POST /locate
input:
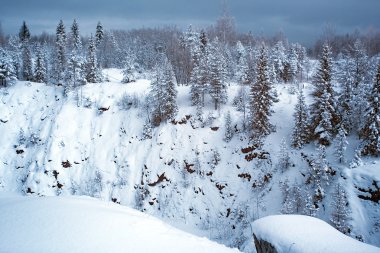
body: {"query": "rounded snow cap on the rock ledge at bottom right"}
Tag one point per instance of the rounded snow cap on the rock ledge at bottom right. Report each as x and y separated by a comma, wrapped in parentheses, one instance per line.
(304, 234)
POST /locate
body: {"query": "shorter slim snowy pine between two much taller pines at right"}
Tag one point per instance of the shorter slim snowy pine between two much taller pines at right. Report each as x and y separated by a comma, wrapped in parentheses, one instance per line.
(300, 131)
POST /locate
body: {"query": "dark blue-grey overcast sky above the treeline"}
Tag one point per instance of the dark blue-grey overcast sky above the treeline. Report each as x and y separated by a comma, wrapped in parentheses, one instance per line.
(300, 20)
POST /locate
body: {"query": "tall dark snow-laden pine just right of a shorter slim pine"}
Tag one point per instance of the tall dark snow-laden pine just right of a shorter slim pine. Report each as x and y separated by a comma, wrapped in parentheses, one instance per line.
(324, 117)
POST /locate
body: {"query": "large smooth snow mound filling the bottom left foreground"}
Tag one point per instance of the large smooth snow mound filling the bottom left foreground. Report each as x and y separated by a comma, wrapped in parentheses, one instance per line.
(81, 224)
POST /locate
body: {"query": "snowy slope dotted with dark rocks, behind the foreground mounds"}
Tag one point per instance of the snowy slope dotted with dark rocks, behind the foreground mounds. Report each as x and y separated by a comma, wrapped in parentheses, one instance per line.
(54, 145)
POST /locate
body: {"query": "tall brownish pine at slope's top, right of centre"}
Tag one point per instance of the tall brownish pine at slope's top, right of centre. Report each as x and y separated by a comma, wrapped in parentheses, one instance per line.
(261, 100)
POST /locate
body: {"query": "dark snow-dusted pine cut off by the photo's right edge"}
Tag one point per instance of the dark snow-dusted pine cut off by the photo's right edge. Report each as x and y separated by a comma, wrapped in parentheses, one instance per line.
(370, 133)
